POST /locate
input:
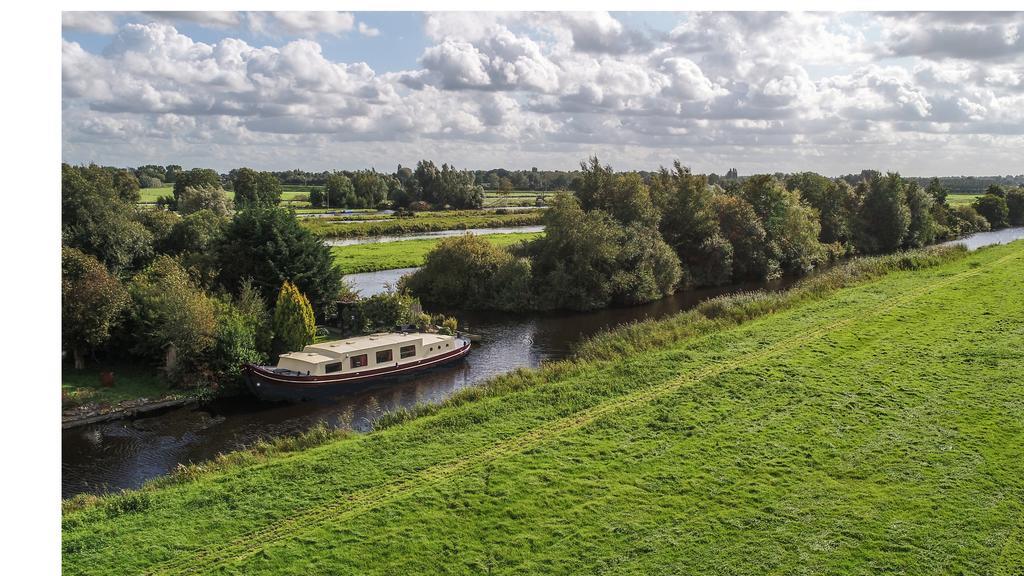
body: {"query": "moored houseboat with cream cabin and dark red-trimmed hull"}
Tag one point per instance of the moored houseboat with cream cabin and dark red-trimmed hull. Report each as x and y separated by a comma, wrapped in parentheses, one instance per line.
(327, 369)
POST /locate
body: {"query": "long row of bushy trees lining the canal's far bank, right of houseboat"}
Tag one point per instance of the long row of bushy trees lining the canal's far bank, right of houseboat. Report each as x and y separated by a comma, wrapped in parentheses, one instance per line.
(627, 238)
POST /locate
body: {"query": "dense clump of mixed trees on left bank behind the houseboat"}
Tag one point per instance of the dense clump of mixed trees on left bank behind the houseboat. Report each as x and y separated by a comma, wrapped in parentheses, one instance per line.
(199, 293)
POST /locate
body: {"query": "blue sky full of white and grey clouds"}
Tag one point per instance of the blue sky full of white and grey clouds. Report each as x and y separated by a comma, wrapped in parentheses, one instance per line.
(923, 94)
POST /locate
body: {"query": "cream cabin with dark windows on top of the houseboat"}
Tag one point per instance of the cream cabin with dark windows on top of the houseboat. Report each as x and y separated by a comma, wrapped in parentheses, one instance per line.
(366, 353)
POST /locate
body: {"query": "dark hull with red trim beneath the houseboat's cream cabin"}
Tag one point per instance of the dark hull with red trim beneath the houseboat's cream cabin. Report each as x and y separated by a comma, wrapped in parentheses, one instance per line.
(267, 385)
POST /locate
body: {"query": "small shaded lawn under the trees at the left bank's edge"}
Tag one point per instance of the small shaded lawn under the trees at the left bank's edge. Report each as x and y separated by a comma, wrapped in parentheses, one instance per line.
(131, 383)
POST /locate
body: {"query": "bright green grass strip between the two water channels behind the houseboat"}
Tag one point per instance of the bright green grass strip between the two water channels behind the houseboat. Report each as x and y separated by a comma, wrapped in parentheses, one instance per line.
(407, 254)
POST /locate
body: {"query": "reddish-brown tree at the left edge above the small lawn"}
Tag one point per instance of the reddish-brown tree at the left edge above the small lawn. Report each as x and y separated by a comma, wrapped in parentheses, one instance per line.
(93, 302)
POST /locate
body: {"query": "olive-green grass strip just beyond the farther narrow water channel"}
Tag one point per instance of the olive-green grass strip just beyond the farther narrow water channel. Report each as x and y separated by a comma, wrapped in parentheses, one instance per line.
(424, 222)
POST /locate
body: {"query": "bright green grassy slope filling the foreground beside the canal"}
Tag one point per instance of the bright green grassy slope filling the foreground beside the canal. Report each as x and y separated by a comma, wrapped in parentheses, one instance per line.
(879, 430)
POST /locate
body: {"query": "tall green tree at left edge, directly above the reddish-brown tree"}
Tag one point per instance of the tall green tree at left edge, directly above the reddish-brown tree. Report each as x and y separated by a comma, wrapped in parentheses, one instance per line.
(97, 221)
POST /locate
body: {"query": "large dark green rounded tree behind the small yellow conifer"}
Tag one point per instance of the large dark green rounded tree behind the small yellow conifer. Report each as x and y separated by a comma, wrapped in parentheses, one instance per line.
(269, 246)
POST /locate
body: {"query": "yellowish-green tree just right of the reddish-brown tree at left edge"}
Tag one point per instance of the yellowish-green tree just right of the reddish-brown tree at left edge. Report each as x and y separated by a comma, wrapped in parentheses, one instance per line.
(174, 319)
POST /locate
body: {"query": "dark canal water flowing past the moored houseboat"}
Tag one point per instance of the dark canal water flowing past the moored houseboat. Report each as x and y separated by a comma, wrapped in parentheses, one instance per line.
(126, 454)
